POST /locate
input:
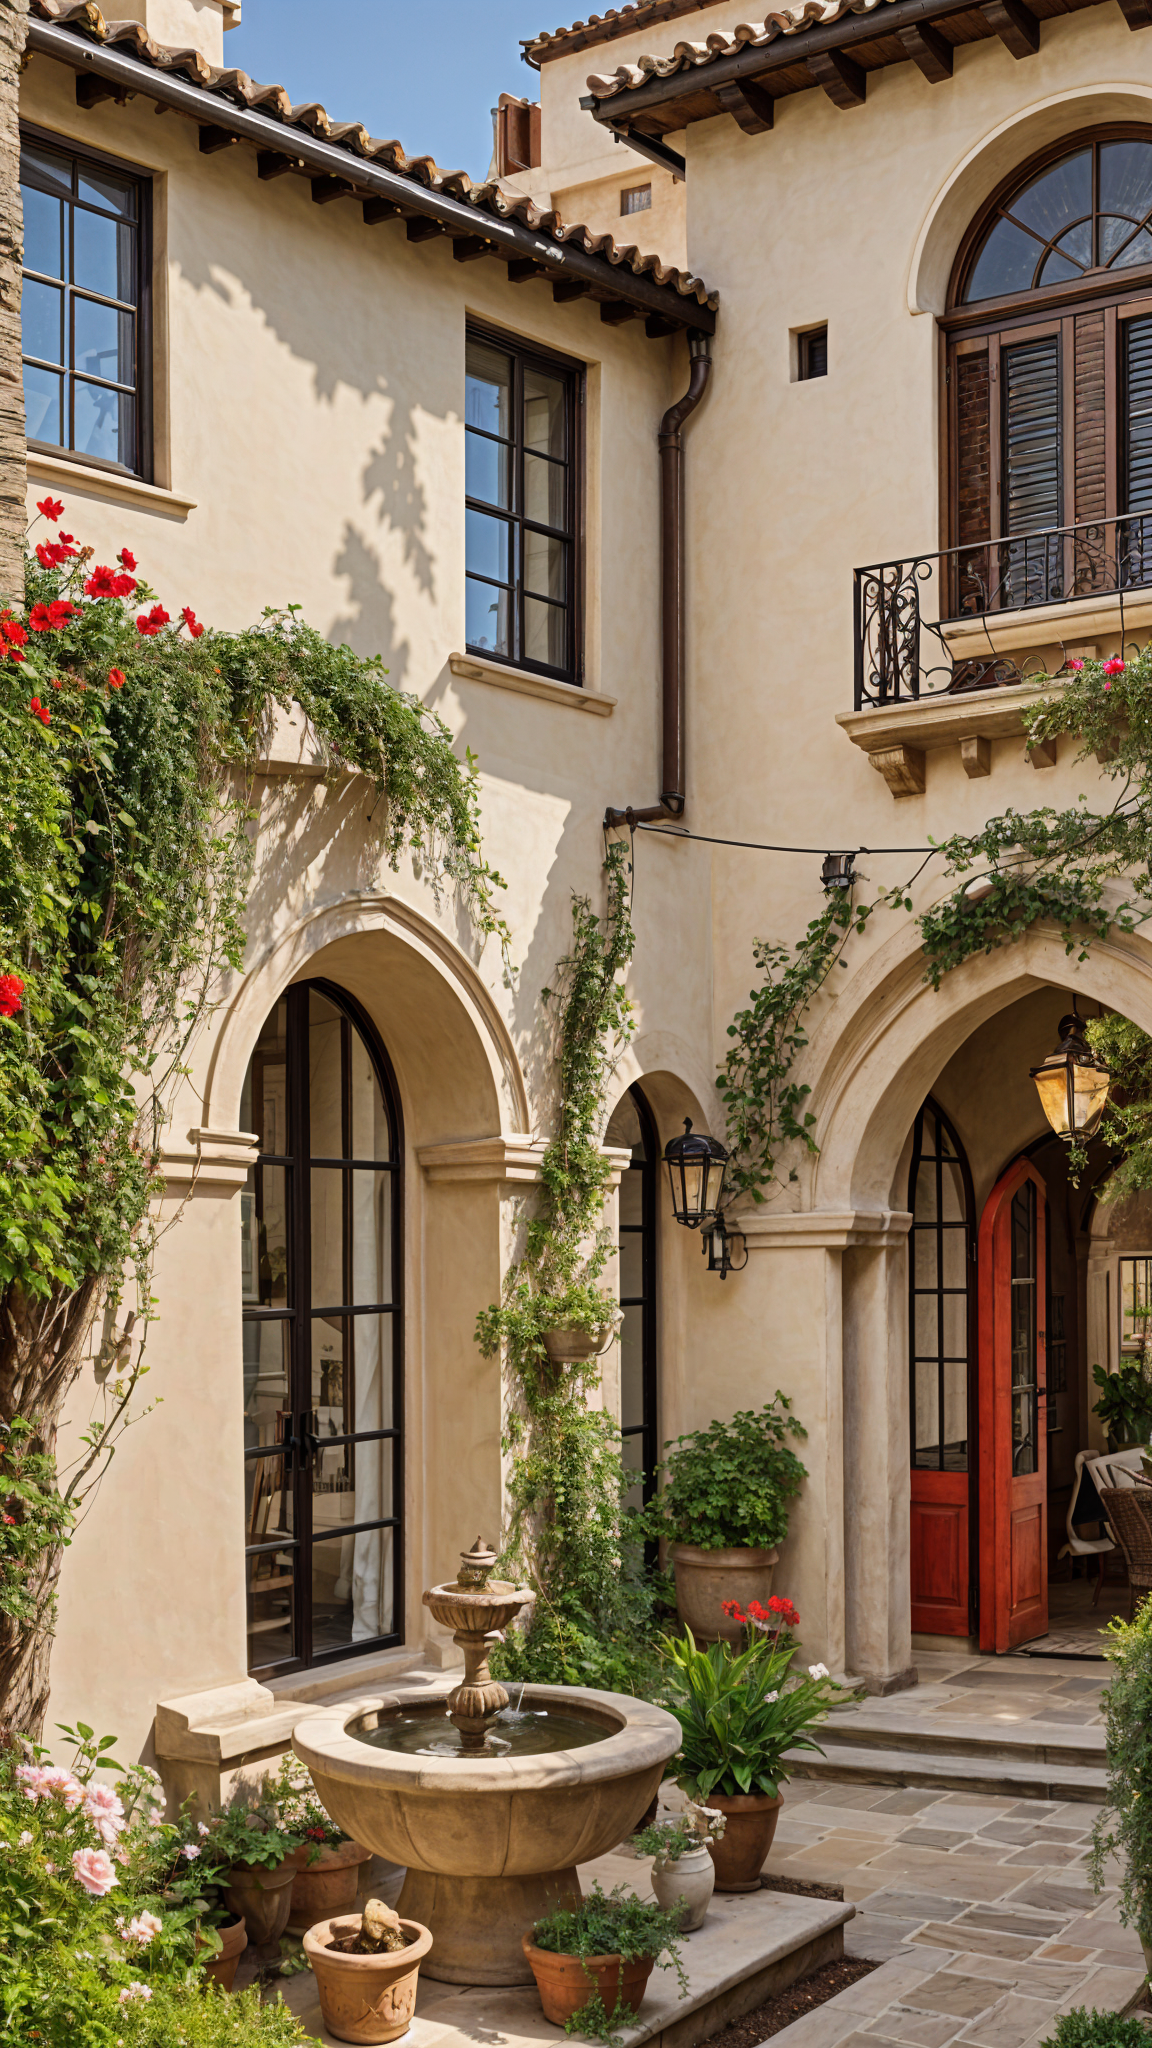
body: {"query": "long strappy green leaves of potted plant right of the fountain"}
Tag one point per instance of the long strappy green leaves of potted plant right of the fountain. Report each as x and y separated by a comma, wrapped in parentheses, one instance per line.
(739, 1713)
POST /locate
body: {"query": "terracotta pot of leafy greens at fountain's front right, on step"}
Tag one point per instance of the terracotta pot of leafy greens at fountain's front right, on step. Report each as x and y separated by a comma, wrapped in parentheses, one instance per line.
(591, 1963)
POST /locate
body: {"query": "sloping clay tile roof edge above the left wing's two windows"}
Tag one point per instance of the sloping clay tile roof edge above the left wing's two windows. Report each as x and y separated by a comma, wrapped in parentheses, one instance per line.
(87, 19)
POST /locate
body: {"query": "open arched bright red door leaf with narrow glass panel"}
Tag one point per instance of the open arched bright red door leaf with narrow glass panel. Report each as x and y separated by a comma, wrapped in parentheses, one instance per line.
(1014, 1412)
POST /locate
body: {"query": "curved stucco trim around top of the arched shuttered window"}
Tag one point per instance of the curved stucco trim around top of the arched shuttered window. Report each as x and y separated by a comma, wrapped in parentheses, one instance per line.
(991, 161)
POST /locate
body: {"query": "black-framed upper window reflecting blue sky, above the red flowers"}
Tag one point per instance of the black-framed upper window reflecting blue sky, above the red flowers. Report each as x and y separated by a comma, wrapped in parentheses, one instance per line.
(85, 304)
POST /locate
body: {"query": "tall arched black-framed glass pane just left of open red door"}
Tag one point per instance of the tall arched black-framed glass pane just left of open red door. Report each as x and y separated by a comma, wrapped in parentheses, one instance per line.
(940, 1295)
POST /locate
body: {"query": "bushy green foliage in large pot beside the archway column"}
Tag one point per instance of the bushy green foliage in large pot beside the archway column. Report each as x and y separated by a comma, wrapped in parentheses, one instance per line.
(727, 1486)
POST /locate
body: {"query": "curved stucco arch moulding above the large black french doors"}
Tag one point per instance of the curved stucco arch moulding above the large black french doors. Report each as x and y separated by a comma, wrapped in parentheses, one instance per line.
(294, 955)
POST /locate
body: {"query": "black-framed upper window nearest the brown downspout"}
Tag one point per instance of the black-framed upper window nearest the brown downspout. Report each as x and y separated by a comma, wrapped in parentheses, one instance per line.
(522, 507)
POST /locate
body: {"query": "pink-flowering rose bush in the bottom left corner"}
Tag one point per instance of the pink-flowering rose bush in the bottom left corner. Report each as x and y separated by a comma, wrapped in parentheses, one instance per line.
(101, 1912)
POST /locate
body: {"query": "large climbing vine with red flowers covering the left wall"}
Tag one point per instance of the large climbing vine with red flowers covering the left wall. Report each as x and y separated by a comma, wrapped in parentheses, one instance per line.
(130, 753)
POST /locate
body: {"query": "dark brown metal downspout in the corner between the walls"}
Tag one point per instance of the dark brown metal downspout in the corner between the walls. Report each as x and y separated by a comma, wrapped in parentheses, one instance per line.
(673, 595)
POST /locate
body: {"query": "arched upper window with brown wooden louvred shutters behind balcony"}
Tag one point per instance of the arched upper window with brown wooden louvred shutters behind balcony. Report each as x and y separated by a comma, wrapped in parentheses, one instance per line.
(1048, 380)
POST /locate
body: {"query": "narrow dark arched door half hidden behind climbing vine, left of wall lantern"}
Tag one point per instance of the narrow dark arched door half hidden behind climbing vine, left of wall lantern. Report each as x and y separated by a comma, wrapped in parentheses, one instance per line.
(634, 1127)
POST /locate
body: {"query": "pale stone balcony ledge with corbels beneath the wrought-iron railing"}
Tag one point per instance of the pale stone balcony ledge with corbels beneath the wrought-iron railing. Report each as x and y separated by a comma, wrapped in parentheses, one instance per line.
(899, 738)
